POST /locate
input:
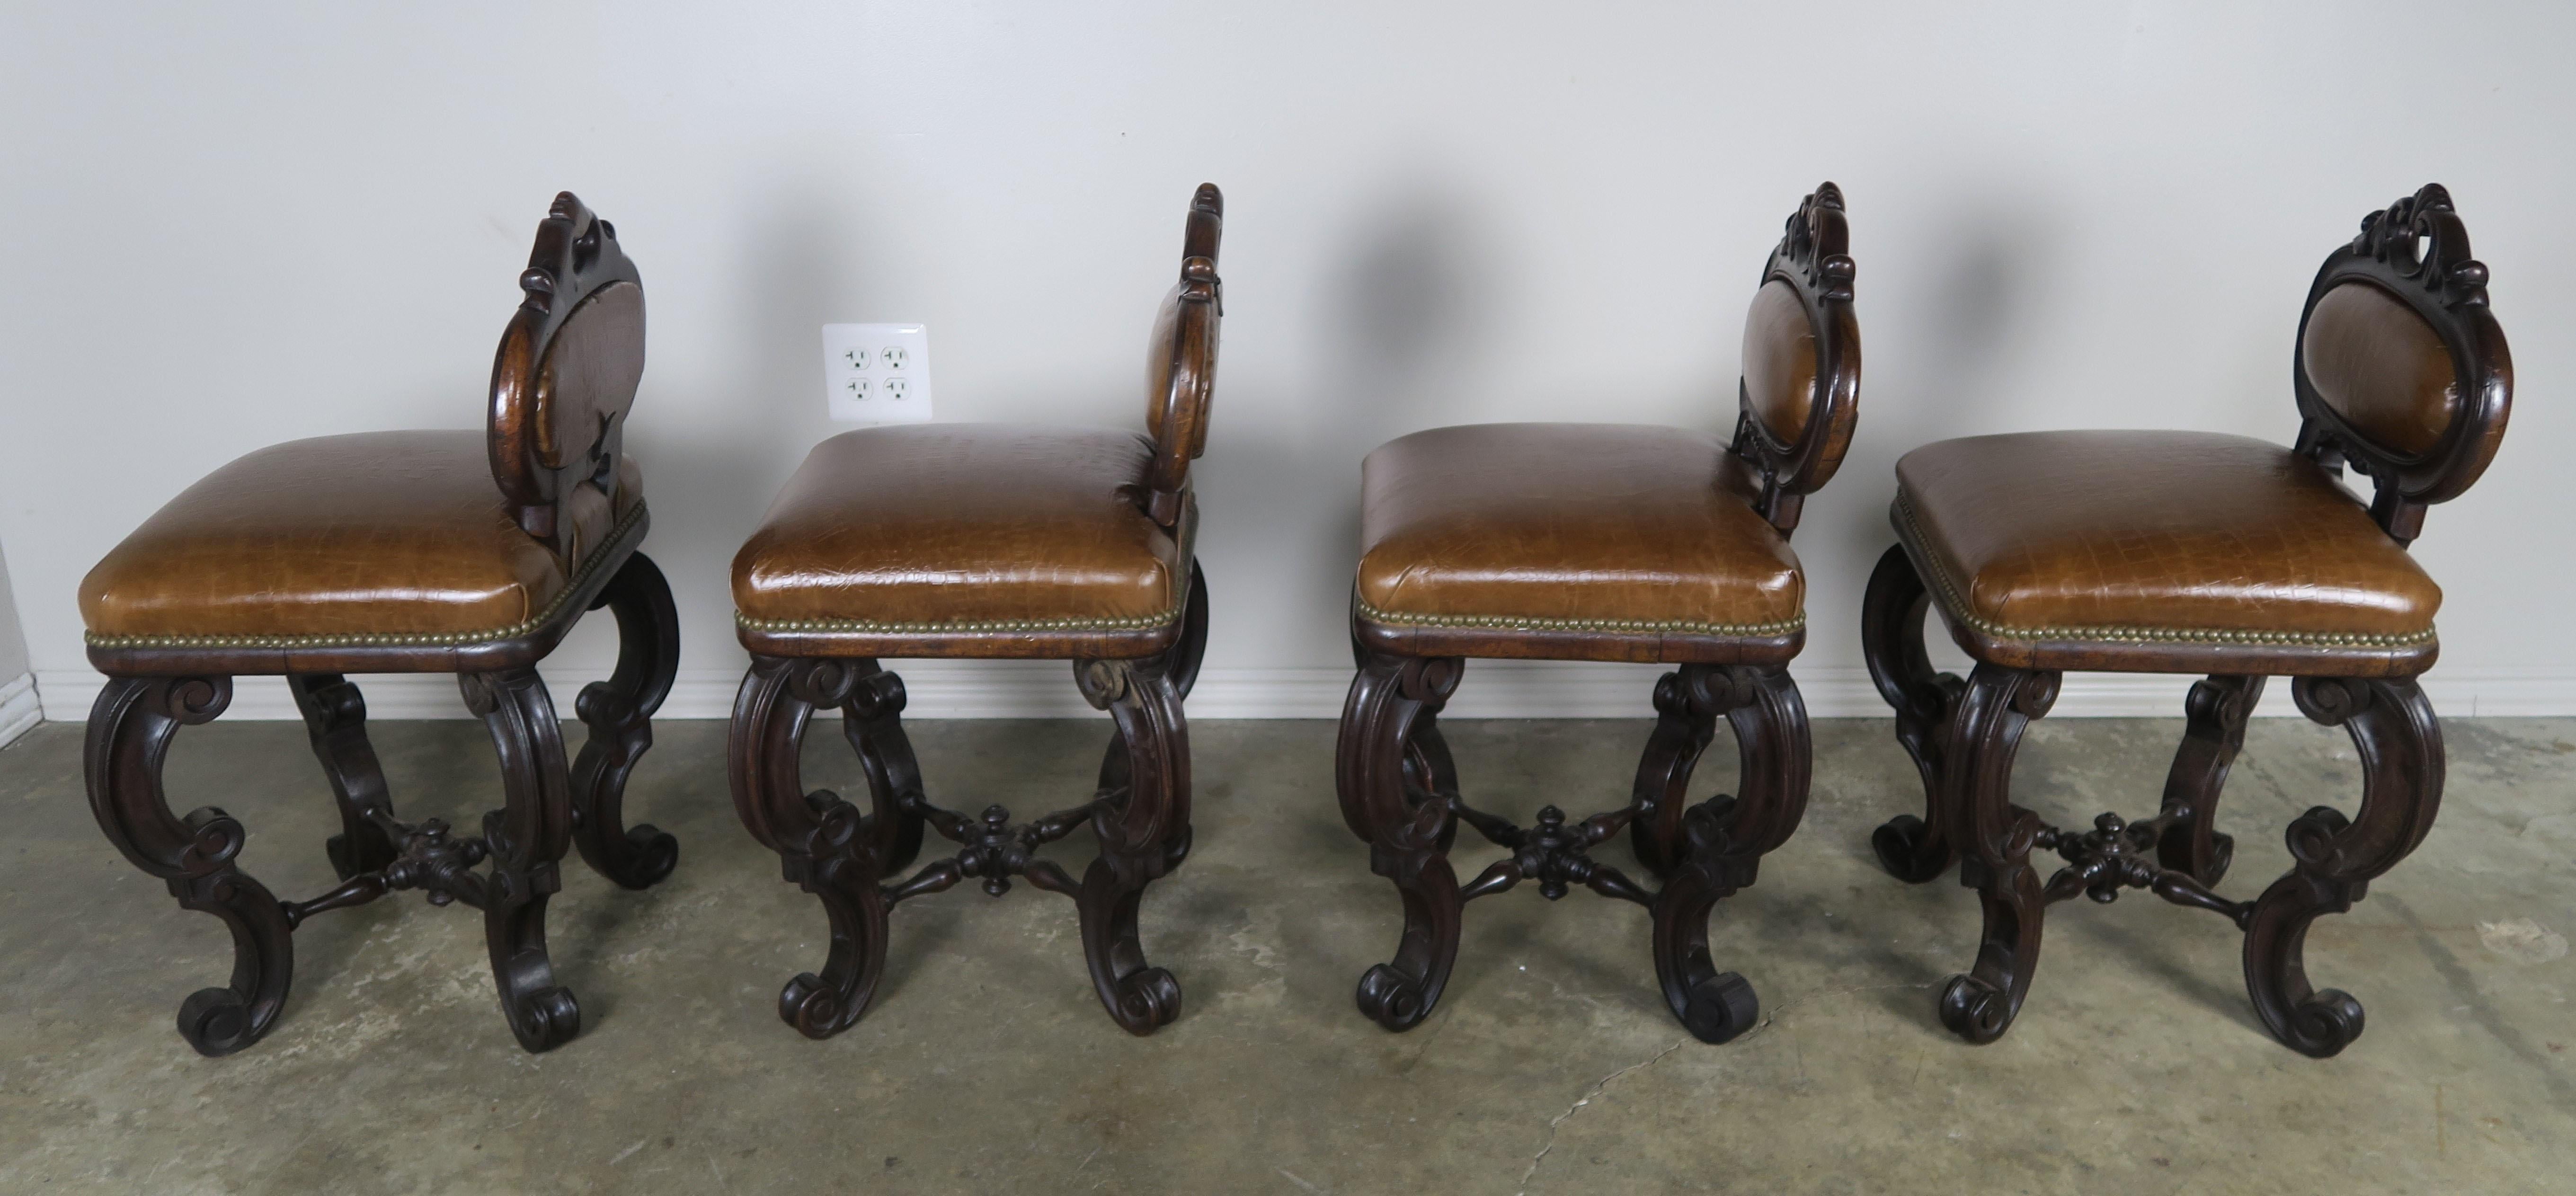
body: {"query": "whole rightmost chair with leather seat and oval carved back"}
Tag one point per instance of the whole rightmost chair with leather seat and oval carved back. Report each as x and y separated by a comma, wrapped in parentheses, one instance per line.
(2186, 553)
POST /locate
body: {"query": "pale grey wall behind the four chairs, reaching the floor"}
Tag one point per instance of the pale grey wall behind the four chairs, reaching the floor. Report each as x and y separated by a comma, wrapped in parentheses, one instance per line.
(290, 220)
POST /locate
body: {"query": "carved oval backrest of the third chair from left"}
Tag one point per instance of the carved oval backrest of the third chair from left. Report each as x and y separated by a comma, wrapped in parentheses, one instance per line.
(1802, 360)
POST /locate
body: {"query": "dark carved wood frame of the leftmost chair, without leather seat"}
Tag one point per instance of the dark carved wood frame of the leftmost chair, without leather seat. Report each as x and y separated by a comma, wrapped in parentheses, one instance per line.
(547, 808)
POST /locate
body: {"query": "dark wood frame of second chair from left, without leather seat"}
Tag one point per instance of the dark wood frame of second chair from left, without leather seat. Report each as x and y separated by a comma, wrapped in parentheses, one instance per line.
(1140, 808)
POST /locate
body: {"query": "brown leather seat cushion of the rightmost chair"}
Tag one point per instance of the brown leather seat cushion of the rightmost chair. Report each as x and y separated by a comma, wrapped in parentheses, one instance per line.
(2155, 537)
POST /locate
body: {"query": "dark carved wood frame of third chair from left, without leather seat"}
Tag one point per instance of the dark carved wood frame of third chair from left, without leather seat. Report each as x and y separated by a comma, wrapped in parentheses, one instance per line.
(1400, 790)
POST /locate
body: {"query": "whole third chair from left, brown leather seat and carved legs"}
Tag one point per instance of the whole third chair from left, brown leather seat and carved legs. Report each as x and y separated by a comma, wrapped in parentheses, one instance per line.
(1604, 543)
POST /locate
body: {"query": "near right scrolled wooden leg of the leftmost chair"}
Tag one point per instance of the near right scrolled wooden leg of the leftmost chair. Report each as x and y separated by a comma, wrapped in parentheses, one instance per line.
(527, 842)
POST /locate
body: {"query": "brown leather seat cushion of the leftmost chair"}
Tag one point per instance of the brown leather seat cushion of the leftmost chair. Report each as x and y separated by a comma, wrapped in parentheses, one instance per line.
(354, 540)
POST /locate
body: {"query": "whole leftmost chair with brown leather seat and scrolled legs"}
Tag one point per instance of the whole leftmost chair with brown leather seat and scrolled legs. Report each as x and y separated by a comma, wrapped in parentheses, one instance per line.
(408, 553)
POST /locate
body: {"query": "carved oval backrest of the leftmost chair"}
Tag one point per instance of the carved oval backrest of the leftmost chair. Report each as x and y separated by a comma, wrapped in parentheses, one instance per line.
(565, 375)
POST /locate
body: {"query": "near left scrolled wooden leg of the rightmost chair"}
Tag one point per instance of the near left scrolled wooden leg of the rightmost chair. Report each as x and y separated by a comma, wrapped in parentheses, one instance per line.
(1995, 836)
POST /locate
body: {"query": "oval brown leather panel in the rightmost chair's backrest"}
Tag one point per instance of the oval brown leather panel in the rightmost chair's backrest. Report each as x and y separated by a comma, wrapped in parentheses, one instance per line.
(2382, 367)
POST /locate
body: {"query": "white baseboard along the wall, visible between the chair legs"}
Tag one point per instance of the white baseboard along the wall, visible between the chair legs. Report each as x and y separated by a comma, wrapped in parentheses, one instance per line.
(1493, 690)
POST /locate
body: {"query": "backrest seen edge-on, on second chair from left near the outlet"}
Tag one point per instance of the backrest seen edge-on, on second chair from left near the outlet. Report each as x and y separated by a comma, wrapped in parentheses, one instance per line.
(1181, 360)
